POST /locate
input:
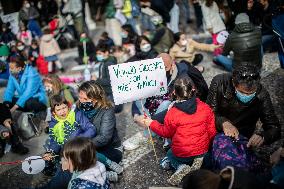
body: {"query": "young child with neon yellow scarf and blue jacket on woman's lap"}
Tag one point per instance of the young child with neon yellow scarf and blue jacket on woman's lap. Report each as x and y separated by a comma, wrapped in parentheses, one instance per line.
(66, 124)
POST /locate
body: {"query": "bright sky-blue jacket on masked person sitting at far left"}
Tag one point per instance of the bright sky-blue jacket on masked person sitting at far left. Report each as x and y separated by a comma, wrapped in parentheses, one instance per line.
(29, 86)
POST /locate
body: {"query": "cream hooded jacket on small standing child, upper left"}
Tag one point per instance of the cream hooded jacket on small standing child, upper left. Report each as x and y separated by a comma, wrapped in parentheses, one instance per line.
(48, 46)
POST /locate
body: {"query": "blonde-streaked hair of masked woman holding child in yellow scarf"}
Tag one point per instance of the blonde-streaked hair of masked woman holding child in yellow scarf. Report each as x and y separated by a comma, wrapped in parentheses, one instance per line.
(95, 92)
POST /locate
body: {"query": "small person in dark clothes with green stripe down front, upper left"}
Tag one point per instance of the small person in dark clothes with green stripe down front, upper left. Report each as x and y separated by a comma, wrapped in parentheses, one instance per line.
(90, 49)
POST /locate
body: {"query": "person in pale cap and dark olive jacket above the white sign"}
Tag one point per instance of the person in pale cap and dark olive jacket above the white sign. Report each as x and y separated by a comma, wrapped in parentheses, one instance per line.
(163, 38)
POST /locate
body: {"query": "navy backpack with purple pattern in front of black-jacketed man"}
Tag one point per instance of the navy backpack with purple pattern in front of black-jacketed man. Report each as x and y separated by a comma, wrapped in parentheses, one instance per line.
(231, 152)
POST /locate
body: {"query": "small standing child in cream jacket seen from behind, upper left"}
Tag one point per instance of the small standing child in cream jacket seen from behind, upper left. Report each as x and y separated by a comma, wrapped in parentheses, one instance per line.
(49, 48)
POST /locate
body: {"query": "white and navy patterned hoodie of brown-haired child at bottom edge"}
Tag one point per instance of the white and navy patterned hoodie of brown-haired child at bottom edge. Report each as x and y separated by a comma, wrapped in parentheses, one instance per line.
(92, 178)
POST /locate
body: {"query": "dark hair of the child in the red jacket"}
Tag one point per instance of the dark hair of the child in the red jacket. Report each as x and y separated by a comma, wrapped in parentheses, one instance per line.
(184, 88)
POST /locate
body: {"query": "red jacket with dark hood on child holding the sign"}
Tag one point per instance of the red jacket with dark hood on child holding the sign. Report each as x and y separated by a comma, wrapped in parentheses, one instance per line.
(190, 125)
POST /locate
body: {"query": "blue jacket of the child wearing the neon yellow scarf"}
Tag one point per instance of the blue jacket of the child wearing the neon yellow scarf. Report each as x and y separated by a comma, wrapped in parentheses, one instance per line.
(83, 128)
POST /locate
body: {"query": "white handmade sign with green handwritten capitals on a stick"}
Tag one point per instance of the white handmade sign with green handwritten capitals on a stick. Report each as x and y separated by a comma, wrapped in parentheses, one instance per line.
(138, 80)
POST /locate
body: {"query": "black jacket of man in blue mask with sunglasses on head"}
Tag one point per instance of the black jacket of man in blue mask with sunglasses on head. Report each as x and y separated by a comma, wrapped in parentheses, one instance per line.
(227, 107)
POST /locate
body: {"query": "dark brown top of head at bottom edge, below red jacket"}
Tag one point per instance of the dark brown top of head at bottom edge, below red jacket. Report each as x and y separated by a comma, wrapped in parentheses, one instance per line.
(201, 179)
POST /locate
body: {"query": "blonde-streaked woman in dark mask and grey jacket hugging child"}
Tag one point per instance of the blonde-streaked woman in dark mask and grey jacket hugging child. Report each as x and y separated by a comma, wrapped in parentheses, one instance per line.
(100, 111)
